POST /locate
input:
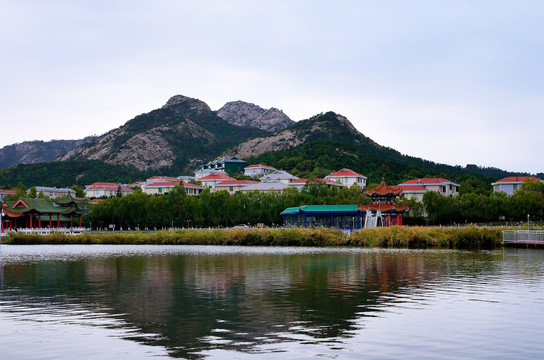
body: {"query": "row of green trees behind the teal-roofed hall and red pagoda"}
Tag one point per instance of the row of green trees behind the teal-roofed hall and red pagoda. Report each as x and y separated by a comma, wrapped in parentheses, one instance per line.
(211, 209)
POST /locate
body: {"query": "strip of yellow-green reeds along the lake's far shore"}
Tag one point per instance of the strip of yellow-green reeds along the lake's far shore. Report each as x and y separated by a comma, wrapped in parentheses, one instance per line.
(396, 236)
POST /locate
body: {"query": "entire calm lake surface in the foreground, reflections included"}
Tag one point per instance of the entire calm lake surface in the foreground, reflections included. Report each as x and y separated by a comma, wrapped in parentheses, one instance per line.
(140, 302)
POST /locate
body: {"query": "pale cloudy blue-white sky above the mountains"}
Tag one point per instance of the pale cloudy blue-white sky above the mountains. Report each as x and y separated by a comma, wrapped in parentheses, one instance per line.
(456, 82)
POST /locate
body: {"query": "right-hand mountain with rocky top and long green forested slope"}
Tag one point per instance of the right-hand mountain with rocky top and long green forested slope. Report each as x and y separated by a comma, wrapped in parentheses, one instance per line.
(329, 142)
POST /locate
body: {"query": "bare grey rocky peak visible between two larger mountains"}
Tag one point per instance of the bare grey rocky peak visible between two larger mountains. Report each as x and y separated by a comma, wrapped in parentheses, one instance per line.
(241, 113)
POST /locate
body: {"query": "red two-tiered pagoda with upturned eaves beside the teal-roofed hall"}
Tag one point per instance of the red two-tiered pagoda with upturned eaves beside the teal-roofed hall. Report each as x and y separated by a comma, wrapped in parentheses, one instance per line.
(383, 209)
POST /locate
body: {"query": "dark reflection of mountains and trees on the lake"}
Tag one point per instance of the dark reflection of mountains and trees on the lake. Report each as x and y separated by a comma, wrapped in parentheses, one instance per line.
(197, 302)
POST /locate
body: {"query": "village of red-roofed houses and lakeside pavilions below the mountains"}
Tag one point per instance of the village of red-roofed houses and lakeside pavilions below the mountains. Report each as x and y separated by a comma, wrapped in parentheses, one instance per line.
(62, 208)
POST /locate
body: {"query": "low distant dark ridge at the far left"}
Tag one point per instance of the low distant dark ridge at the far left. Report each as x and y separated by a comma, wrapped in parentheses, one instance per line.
(32, 152)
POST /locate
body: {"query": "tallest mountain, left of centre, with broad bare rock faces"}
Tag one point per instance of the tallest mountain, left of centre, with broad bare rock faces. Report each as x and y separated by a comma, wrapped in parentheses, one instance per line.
(176, 137)
